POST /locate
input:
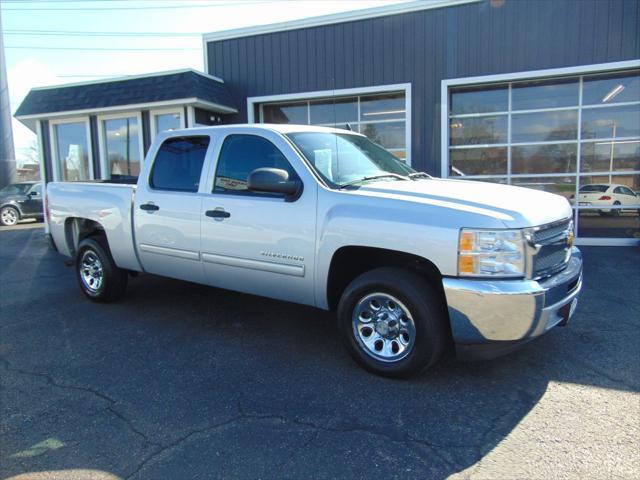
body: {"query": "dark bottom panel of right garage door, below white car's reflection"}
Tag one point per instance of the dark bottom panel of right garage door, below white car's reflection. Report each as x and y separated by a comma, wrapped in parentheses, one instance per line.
(600, 223)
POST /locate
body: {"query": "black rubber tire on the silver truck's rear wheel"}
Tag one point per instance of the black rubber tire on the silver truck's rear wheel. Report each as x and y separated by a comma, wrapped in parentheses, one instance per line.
(113, 279)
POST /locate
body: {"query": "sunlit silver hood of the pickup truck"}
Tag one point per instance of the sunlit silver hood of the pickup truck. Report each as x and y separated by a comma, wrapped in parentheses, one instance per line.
(515, 207)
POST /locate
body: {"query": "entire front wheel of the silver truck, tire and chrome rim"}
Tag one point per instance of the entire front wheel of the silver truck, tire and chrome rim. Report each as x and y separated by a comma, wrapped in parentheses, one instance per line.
(393, 322)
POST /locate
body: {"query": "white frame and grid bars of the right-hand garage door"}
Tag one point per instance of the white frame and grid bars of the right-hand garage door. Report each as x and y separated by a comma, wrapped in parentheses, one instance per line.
(556, 73)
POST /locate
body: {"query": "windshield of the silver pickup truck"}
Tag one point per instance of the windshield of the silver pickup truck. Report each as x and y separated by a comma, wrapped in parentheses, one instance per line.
(342, 158)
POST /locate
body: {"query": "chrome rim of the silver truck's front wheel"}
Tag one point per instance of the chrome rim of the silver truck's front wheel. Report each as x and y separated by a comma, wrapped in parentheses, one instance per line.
(383, 327)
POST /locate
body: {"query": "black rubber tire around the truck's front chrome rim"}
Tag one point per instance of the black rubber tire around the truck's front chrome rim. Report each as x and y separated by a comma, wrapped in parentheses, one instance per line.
(425, 306)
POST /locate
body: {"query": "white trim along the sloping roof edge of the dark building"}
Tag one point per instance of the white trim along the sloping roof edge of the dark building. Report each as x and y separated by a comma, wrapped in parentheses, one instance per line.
(341, 17)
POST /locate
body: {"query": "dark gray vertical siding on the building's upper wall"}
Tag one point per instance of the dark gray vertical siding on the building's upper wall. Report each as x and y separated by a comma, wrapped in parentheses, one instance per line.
(426, 47)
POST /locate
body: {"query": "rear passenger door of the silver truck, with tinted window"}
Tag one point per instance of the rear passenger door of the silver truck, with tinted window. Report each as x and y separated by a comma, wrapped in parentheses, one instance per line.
(167, 209)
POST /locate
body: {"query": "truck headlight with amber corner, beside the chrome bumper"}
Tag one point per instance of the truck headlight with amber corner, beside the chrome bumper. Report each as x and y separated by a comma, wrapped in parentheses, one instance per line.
(491, 253)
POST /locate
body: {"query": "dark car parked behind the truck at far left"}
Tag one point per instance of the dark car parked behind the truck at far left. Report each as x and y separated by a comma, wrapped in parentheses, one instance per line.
(19, 201)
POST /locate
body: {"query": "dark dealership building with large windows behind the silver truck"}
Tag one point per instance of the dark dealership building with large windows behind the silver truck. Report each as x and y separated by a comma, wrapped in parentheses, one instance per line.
(539, 93)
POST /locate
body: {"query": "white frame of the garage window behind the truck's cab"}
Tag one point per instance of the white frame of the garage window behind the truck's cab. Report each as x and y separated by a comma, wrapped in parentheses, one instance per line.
(345, 92)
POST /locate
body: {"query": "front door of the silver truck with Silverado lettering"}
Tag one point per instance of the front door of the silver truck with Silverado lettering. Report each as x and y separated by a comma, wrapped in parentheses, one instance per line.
(255, 242)
